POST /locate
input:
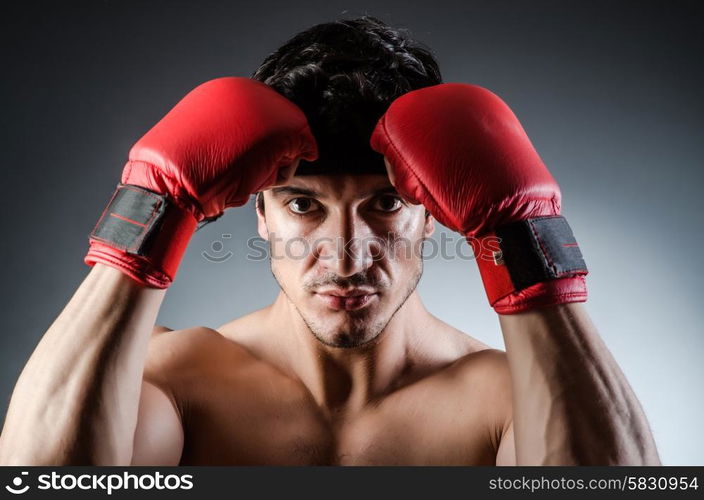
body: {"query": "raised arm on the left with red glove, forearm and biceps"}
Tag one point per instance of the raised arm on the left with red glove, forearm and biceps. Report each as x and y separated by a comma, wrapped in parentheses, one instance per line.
(77, 400)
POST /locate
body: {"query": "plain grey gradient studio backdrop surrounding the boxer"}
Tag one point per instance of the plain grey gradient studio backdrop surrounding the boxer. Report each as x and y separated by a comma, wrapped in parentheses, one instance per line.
(609, 94)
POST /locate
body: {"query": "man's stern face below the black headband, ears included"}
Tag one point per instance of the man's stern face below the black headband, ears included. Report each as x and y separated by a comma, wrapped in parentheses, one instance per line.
(346, 251)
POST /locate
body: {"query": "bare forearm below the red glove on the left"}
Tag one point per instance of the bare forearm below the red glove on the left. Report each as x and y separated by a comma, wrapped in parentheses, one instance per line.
(77, 397)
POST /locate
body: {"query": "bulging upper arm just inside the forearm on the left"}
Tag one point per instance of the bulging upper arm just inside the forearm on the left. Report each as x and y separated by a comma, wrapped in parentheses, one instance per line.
(158, 438)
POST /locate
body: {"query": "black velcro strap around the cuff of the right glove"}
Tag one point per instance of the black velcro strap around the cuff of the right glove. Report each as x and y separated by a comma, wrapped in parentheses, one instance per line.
(540, 249)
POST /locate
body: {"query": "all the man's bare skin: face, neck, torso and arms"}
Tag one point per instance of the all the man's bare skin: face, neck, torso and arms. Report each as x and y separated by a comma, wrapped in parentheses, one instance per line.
(301, 382)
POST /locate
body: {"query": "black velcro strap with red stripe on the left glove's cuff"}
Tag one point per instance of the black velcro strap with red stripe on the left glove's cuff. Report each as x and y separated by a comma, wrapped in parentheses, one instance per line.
(131, 217)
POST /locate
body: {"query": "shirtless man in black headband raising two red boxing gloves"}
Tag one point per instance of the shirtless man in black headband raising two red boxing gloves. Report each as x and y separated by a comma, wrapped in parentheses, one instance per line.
(353, 140)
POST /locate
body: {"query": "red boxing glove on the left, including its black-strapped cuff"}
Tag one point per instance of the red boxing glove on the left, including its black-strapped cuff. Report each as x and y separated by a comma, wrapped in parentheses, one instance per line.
(225, 140)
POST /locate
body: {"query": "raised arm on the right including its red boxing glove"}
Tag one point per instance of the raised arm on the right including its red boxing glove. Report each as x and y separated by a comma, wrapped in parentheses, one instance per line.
(477, 172)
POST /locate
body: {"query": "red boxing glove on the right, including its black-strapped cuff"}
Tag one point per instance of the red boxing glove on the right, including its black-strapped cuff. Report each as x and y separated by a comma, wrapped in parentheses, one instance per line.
(460, 151)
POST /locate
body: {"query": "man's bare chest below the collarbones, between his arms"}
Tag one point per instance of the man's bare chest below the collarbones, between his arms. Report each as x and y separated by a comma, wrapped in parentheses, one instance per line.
(266, 424)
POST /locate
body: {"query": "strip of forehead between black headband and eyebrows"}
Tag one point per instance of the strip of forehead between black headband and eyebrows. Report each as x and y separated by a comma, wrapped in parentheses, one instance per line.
(337, 186)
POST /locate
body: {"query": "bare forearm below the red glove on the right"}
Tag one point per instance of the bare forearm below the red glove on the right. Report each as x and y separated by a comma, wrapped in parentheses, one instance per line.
(571, 402)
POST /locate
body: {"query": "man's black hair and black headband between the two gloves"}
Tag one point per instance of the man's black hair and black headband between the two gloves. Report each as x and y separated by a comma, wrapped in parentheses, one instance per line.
(343, 75)
